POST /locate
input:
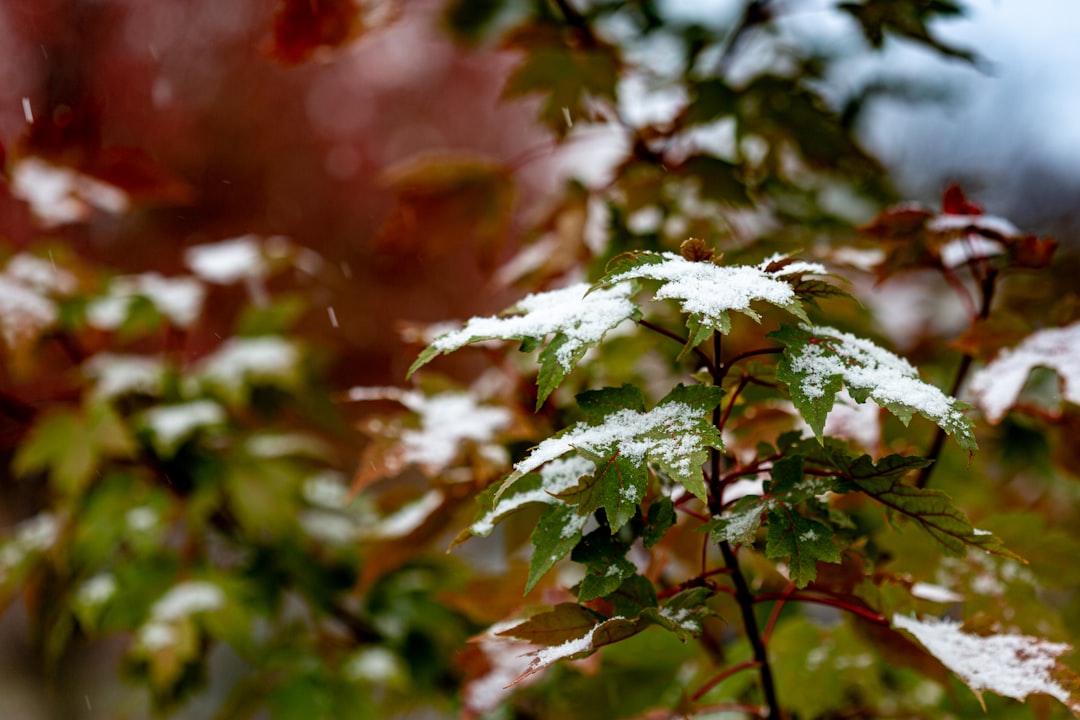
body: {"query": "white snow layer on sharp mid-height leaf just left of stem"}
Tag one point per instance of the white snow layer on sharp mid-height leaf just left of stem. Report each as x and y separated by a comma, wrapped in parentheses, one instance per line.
(628, 431)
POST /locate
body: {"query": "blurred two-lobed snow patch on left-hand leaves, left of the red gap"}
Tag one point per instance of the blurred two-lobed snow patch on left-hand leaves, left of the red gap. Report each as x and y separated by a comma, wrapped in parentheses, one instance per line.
(179, 300)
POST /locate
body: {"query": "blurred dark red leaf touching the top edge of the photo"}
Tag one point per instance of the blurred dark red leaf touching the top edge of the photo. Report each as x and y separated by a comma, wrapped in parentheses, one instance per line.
(301, 28)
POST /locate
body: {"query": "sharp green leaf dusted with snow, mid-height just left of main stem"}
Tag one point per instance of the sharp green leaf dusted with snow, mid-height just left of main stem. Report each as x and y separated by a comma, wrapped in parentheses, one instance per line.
(676, 436)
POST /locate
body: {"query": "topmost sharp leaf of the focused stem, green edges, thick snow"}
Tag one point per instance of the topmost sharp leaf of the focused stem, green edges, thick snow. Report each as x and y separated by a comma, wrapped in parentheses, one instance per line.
(708, 293)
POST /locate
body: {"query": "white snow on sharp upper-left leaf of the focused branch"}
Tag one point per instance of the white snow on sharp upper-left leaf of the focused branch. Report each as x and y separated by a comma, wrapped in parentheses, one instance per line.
(584, 319)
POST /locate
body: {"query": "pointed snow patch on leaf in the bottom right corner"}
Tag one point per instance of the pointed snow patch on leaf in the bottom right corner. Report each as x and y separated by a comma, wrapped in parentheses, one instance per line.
(1006, 664)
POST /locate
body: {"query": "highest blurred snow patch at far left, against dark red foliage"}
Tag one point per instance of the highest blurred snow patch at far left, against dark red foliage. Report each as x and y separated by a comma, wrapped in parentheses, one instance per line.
(61, 196)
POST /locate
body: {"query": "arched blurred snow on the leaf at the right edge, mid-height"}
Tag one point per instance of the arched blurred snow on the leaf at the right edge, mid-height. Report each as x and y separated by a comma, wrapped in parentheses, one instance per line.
(996, 388)
